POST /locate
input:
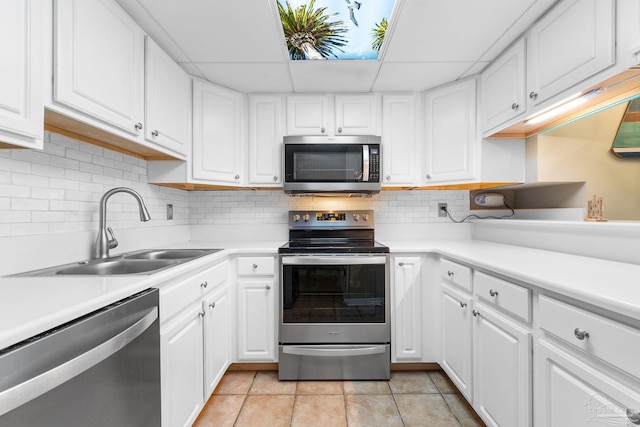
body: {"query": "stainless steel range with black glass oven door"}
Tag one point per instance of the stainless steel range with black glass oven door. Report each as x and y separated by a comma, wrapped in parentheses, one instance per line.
(334, 298)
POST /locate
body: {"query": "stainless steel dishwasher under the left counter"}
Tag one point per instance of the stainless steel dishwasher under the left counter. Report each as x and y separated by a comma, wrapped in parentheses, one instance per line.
(102, 369)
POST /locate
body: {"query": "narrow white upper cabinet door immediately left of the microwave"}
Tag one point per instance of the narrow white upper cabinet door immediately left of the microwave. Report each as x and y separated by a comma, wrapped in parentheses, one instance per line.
(265, 139)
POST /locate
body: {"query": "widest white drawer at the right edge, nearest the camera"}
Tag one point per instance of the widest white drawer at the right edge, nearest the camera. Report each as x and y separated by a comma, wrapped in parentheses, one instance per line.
(604, 338)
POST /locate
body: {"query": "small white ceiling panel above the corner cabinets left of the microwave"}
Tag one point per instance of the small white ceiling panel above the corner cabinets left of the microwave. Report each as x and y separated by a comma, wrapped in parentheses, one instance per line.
(248, 78)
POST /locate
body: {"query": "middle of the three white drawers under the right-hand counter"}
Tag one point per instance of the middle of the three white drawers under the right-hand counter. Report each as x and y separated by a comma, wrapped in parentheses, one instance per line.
(511, 298)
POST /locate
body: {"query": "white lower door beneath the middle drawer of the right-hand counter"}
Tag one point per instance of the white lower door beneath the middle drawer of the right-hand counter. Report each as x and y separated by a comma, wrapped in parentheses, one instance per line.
(502, 370)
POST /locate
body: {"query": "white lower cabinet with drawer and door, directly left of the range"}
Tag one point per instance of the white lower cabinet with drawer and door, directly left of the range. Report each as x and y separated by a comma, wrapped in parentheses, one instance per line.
(256, 322)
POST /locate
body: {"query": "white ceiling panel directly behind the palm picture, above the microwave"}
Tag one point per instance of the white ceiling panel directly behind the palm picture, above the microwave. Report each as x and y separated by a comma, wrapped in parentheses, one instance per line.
(333, 76)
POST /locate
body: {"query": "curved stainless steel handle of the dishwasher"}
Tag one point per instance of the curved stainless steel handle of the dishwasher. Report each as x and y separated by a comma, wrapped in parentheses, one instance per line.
(22, 393)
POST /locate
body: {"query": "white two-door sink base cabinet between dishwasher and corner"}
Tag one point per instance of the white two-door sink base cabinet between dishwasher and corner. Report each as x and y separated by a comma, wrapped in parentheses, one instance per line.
(194, 342)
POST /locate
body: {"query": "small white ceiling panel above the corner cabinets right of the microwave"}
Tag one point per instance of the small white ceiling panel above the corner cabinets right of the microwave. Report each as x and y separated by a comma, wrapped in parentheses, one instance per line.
(417, 76)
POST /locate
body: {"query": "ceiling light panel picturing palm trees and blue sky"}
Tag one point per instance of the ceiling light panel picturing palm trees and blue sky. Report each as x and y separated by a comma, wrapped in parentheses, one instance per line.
(334, 29)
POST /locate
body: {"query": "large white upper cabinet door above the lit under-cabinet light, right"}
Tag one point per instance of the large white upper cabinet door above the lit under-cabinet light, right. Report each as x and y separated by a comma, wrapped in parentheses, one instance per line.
(571, 43)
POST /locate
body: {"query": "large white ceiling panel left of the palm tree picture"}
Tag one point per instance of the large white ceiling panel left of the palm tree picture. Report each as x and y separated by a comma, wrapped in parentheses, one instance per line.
(221, 30)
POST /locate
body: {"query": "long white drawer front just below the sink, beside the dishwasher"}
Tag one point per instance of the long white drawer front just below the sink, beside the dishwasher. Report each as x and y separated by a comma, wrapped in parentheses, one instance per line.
(174, 298)
